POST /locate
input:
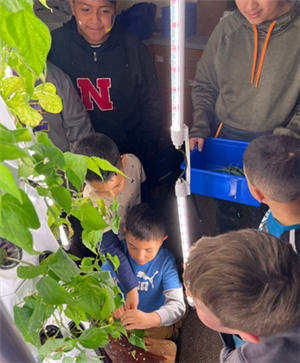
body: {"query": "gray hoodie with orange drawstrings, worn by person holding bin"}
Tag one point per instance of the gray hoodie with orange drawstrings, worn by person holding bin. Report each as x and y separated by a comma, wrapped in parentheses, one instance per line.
(223, 90)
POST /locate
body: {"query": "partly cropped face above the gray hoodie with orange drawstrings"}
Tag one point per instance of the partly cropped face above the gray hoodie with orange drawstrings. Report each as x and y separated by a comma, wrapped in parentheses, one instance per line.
(259, 11)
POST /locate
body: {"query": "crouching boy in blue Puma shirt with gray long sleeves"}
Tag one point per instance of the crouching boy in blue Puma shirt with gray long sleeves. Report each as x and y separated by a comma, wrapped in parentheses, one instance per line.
(161, 302)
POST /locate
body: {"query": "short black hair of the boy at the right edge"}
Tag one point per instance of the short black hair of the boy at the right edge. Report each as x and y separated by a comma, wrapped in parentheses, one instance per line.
(272, 165)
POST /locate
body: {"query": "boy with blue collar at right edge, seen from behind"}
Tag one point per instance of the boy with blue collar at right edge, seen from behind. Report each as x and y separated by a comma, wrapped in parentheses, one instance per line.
(272, 169)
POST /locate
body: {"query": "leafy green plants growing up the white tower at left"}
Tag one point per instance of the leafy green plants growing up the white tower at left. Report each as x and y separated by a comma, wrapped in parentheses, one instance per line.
(83, 293)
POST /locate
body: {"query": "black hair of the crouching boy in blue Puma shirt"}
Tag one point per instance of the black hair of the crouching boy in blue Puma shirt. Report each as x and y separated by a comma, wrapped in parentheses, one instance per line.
(146, 222)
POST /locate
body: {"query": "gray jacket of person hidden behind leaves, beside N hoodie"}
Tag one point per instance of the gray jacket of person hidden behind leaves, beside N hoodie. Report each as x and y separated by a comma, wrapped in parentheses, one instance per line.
(73, 122)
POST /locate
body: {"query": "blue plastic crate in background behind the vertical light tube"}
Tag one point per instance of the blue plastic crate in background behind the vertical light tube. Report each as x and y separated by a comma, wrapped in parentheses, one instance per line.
(190, 19)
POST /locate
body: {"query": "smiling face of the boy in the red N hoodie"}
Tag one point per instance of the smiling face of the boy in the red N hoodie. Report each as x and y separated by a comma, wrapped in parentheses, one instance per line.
(94, 18)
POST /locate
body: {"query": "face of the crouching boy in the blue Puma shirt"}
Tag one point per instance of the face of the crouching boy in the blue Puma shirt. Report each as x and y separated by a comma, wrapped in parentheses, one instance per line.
(142, 251)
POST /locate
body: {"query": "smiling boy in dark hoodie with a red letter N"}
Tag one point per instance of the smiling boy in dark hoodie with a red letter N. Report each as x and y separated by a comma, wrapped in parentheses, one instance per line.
(113, 73)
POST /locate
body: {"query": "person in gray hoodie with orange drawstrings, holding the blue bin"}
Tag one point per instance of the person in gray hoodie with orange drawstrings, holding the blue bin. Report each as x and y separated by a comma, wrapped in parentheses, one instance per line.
(247, 82)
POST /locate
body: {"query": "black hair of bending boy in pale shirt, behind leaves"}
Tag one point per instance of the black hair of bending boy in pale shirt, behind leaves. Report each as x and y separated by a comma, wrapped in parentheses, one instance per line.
(102, 147)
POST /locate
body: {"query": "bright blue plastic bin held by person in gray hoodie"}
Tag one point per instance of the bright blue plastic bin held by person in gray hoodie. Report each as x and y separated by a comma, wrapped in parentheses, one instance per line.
(218, 154)
